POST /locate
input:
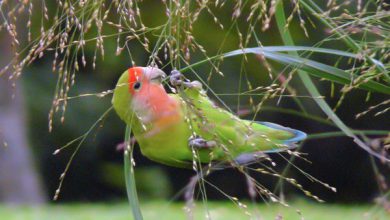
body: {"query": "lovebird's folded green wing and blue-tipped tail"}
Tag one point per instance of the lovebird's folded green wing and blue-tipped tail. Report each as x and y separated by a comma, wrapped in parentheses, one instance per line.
(233, 135)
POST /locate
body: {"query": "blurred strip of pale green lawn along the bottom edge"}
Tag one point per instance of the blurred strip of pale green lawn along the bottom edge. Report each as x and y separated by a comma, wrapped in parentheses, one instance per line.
(218, 210)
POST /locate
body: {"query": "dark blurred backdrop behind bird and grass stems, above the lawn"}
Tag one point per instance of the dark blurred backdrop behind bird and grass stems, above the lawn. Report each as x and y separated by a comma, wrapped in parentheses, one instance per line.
(29, 172)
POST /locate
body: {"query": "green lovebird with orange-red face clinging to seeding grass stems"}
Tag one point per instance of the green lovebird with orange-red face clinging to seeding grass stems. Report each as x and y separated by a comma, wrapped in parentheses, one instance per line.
(175, 129)
